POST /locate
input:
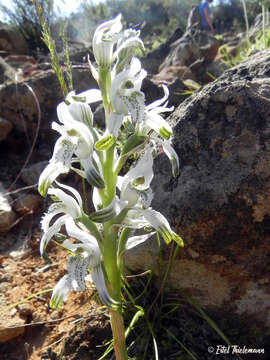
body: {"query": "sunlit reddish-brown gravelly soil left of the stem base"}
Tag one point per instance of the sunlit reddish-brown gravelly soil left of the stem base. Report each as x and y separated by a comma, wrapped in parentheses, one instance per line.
(80, 327)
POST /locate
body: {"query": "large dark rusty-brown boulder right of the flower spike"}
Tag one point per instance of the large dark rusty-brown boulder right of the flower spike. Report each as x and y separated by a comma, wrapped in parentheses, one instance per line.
(219, 203)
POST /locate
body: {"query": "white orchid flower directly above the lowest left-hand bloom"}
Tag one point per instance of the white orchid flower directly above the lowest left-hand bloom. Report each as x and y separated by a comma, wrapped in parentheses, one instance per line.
(68, 205)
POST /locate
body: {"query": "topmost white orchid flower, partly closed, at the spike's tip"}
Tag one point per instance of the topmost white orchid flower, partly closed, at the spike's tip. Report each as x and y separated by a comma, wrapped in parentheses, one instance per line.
(105, 37)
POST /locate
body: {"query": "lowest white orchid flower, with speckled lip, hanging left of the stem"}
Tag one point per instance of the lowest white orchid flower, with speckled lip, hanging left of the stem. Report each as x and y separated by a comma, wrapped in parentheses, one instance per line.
(87, 256)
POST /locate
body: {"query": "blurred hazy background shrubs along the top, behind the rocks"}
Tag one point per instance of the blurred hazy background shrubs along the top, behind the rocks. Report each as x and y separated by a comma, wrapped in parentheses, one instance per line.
(157, 19)
